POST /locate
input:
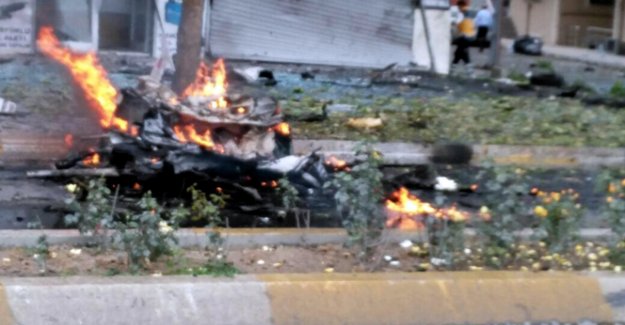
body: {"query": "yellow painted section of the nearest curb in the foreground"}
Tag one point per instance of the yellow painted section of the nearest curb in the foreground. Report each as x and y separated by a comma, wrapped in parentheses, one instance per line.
(434, 298)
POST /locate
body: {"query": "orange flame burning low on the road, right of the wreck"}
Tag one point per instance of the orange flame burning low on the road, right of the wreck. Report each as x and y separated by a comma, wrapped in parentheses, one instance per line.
(405, 210)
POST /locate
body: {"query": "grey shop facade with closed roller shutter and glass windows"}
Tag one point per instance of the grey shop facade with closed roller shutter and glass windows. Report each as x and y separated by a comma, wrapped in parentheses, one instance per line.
(368, 33)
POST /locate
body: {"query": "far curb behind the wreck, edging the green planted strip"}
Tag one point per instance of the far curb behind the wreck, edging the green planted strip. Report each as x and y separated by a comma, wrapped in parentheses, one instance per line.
(18, 151)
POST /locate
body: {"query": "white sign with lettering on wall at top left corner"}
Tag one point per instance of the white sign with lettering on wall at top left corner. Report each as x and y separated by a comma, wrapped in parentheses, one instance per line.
(16, 26)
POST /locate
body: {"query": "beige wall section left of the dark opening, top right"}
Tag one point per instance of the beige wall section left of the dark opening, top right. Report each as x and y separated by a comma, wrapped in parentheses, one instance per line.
(544, 19)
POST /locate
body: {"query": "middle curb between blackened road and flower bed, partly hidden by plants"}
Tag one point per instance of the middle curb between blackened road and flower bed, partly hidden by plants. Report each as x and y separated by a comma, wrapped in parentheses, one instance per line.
(243, 237)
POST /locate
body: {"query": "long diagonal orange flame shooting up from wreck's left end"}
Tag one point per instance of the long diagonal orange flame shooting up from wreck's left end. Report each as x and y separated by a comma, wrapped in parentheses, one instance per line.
(90, 76)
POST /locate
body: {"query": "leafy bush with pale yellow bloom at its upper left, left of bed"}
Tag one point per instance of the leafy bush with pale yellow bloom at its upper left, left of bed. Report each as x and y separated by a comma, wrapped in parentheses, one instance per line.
(95, 214)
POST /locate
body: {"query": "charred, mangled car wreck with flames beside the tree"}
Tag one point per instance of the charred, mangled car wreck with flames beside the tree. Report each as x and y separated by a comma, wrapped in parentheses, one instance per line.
(219, 139)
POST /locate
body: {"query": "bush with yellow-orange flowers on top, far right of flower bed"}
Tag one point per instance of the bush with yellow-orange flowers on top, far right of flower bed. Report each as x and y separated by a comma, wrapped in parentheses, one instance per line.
(559, 214)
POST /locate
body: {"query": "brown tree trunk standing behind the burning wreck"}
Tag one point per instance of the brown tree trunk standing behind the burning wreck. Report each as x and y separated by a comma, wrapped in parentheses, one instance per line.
(189, 44)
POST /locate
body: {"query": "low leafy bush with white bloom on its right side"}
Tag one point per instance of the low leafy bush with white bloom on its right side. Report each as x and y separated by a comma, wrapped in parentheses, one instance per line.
(145, 236)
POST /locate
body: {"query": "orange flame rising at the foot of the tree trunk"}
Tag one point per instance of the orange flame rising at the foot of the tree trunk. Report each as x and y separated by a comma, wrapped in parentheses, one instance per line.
(210, 84)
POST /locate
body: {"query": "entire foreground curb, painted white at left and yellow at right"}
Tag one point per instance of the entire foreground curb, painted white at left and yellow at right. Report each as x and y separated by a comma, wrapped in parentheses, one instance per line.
(329, 299)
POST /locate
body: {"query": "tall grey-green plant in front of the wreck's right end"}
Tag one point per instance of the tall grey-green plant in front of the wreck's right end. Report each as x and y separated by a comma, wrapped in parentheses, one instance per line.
(359, 197)
